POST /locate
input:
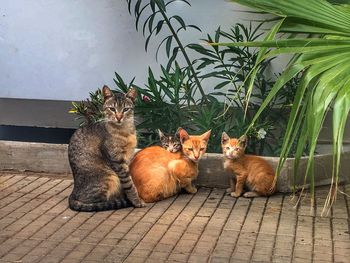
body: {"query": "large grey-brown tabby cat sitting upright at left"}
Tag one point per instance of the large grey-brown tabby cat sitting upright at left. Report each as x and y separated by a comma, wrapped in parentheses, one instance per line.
(99, 155)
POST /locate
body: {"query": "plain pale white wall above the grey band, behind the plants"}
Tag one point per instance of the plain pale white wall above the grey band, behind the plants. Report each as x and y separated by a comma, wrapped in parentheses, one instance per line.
(62, 49)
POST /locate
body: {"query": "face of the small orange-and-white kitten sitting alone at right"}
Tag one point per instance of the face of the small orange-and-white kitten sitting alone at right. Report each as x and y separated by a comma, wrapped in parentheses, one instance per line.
(233, 148)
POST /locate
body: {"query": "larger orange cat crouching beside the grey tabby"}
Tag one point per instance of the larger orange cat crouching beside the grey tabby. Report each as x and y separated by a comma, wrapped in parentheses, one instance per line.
(158, 173)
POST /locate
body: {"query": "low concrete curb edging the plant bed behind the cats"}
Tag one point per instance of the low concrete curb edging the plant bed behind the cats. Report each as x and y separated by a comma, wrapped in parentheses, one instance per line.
(53, 159)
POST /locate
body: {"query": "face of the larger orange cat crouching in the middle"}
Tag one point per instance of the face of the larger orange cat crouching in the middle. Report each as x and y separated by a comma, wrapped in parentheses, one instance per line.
(194, 146)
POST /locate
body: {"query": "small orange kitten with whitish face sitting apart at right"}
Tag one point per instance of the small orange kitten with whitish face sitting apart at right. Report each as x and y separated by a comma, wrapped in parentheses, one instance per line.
(247, 171)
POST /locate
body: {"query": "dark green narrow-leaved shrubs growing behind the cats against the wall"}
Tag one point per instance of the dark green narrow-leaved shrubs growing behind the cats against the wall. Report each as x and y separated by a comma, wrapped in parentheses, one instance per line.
(171, 100)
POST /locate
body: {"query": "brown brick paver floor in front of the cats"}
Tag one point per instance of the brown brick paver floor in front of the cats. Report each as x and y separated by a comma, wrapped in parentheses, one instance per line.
(37, 226)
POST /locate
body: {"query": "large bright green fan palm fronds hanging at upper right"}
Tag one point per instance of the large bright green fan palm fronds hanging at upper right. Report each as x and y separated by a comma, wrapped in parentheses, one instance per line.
(318, 34)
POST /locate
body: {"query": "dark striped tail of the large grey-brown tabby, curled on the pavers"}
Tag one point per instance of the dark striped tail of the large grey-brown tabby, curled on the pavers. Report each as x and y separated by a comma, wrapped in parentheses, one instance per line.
(100, 206)
